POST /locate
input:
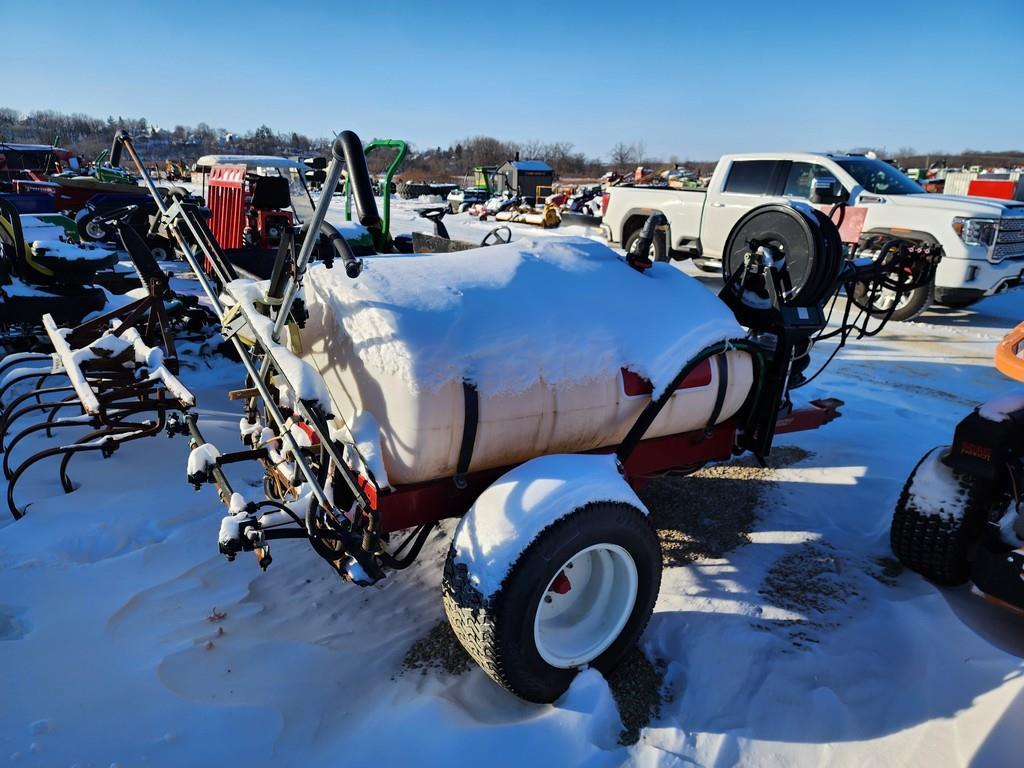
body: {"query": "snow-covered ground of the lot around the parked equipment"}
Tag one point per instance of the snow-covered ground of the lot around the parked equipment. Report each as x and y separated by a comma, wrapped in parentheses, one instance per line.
(126, 639)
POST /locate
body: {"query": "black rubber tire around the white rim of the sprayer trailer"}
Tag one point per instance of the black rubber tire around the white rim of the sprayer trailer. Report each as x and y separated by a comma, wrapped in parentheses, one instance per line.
(498, 632)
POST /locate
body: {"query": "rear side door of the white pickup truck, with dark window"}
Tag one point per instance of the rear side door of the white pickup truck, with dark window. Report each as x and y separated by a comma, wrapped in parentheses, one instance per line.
(748, 185)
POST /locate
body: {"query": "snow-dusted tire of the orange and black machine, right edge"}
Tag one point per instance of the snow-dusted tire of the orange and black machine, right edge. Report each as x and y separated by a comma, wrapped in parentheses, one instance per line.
(934, 538)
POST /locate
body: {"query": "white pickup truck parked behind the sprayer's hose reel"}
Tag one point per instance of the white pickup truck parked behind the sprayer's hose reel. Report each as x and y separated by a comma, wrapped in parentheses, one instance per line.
(983, 240)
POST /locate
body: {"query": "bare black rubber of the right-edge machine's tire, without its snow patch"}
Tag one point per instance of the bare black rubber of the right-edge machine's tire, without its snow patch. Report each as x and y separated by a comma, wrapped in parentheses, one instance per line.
(934, 543)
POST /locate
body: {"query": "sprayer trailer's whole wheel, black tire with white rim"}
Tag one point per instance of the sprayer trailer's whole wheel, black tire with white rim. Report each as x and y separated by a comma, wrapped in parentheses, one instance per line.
(580, 593)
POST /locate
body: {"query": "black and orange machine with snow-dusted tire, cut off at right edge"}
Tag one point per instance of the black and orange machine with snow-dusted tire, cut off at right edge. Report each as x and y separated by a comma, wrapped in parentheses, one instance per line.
(960, 517)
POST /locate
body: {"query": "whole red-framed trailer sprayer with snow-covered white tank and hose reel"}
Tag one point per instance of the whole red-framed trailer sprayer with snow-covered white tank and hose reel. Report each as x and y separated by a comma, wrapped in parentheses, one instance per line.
(527, 389)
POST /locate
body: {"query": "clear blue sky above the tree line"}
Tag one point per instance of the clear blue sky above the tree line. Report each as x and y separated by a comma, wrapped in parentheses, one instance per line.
(692, 79)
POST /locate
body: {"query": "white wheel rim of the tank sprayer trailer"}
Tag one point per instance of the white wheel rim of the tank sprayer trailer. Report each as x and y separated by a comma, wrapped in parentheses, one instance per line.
(586, 606)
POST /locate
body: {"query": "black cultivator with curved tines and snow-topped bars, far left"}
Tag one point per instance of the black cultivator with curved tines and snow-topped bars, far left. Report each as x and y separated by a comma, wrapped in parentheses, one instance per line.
(123, 389)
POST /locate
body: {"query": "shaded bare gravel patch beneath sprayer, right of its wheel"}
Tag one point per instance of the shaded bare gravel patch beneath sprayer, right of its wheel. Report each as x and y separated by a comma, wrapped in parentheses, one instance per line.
(706, 516)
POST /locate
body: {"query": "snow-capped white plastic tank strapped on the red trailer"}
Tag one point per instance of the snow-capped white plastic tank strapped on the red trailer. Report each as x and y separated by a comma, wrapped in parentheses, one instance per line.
(542, 328)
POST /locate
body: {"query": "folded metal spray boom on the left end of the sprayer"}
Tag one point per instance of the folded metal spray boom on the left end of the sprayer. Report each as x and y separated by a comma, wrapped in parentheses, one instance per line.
(352, 531)
